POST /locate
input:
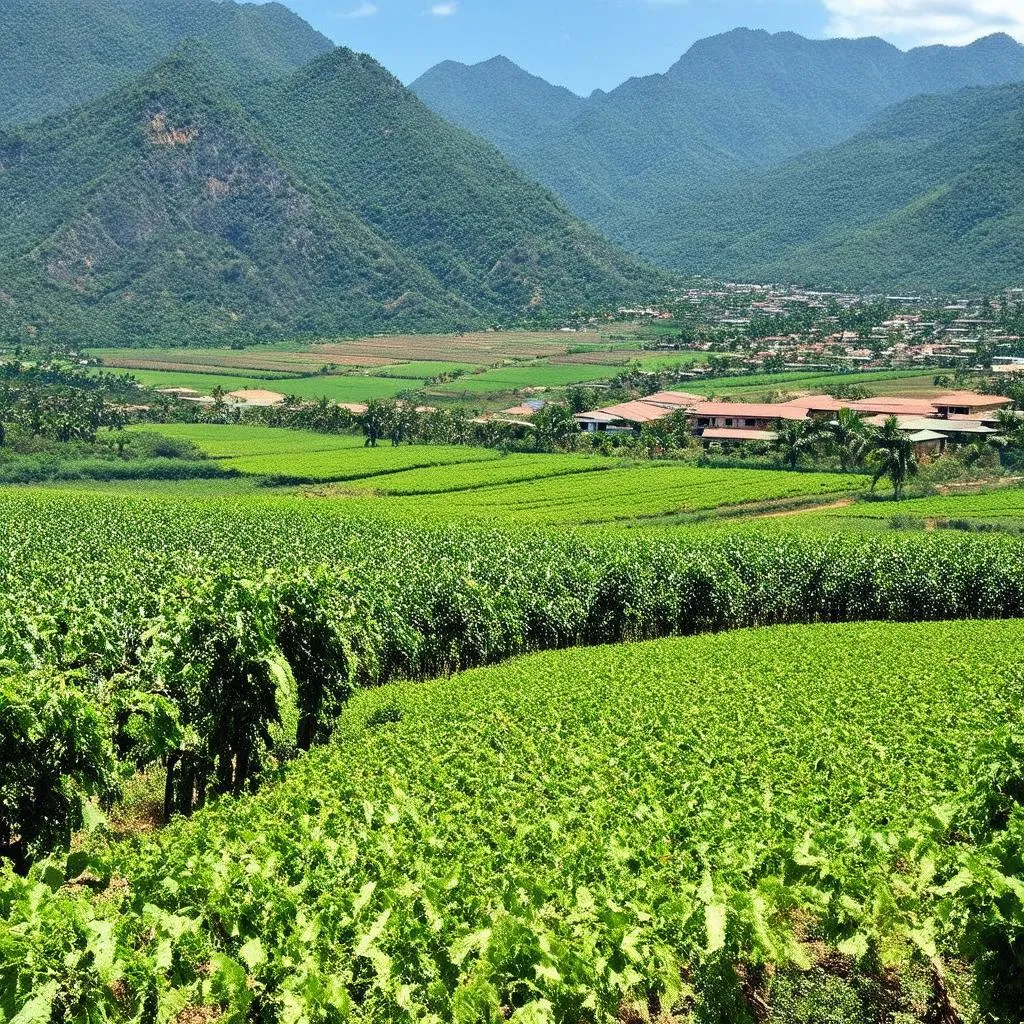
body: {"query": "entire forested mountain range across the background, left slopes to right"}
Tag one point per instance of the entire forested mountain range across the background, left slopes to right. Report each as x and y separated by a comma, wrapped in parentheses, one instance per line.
(204, 173)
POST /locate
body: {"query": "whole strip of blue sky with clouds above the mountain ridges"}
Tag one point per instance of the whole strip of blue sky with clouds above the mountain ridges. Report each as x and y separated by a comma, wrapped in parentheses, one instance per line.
(588, 45)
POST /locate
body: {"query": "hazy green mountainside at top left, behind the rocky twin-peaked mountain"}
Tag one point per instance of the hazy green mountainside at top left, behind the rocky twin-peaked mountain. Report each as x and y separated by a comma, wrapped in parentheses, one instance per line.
(56, 55)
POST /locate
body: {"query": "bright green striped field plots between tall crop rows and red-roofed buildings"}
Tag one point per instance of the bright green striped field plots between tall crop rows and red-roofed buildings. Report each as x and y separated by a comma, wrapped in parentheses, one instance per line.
(458, 484)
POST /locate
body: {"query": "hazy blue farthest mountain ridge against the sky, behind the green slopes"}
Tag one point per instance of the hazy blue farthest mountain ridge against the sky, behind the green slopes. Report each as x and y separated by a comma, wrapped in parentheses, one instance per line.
(733, 104)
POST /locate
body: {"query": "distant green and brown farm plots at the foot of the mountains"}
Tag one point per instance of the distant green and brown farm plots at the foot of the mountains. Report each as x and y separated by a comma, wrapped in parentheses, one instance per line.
(488, 368)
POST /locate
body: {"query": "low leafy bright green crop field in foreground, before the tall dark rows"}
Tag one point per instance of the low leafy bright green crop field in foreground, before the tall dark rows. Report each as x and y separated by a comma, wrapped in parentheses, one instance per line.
(574, 837)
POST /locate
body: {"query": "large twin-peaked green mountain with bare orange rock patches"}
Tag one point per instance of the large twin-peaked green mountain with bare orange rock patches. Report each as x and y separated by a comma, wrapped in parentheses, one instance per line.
(330, 201)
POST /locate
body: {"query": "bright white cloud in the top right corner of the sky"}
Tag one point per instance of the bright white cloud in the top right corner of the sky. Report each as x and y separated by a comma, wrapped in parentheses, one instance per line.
(924, 22)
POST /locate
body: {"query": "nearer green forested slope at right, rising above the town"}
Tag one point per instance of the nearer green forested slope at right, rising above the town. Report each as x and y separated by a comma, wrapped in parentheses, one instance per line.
(929, 198)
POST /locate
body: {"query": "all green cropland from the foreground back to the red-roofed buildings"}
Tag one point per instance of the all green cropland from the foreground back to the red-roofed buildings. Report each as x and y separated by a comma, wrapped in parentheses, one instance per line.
(320, 743)
